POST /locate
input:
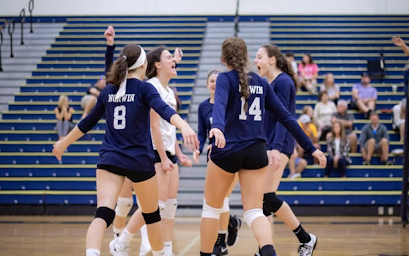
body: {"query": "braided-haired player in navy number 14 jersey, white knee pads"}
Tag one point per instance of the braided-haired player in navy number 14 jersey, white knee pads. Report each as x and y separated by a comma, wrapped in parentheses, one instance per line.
(240, 146)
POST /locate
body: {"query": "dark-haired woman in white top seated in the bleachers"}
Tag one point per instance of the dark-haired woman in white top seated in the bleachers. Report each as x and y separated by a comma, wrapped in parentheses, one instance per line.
(323, 112)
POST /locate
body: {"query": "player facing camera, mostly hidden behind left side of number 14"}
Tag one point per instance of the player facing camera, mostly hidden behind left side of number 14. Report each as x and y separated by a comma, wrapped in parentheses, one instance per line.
(227, 222)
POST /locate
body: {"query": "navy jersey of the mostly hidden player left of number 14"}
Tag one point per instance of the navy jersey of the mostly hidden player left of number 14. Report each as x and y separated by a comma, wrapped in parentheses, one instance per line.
(205, 122)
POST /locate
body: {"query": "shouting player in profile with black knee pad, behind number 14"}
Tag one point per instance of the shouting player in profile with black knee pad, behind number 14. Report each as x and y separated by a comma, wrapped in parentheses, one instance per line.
(271, 63)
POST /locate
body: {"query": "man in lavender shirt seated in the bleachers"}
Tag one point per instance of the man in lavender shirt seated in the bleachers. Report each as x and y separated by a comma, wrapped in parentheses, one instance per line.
(364, 96)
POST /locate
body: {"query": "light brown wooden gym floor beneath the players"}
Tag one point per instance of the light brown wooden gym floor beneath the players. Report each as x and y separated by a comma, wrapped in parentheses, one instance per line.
(337, 236)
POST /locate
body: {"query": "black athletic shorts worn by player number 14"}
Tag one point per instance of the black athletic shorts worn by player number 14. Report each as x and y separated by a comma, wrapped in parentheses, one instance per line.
(253, 157)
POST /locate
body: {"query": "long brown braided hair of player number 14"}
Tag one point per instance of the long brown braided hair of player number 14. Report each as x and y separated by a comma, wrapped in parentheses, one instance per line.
(234, 53)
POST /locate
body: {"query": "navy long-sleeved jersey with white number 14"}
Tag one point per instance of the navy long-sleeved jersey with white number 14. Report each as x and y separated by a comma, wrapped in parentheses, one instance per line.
(241, 129)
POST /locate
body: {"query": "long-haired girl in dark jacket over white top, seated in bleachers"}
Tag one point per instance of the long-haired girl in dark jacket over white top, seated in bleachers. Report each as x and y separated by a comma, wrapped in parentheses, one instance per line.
(338, 150)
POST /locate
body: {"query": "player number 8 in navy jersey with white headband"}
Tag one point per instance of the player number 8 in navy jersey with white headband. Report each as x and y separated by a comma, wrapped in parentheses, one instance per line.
(123, 154)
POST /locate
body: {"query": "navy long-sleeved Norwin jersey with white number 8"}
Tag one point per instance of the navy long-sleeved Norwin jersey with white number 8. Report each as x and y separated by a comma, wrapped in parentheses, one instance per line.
(127, 141)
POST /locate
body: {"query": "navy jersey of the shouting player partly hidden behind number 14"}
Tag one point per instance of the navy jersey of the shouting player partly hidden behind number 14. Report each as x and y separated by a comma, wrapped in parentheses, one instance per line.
(277, 136)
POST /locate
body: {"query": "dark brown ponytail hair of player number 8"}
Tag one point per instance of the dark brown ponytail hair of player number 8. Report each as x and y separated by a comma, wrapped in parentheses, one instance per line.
(128, 56)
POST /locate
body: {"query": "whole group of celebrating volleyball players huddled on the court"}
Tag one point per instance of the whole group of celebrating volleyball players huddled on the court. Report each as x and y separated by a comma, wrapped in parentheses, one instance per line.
(251, 126)
